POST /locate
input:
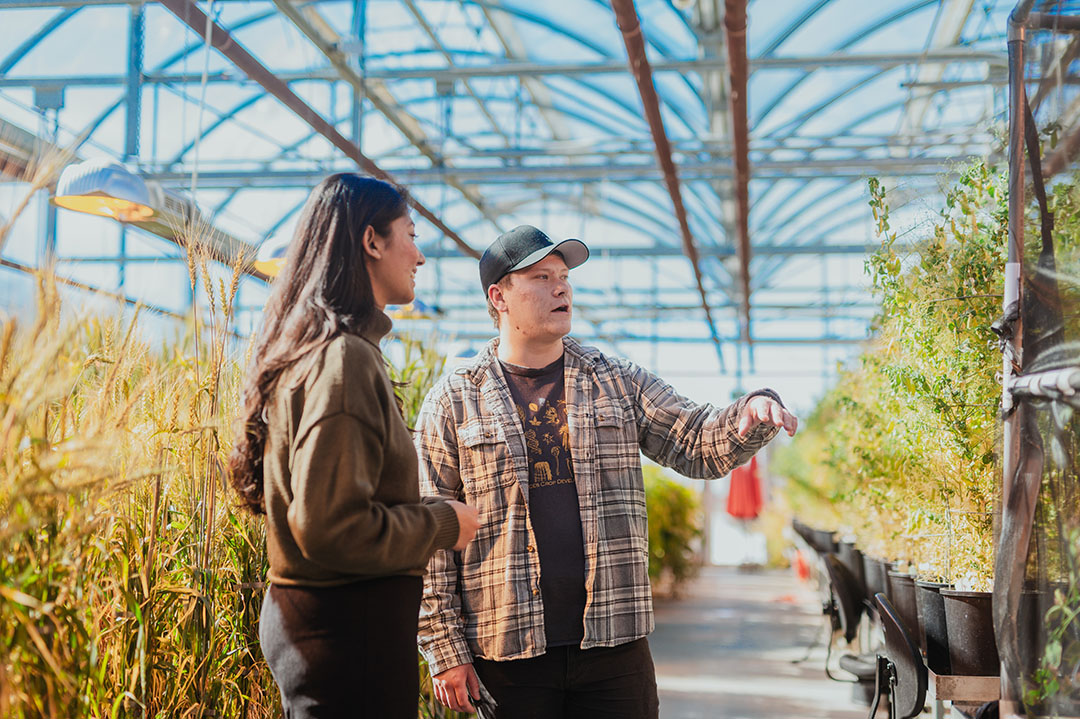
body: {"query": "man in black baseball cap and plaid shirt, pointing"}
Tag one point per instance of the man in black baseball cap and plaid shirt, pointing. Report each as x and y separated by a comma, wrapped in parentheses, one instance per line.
(550, 605)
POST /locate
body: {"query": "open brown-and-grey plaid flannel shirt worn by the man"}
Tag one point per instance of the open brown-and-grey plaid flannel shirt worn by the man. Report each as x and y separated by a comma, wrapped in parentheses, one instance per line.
(485, 602)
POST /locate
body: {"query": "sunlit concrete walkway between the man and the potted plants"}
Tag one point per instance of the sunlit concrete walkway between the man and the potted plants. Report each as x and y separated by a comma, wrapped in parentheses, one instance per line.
(725, 650)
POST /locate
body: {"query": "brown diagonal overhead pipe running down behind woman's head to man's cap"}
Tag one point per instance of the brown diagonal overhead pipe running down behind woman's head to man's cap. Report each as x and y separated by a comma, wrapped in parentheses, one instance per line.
(191, 16)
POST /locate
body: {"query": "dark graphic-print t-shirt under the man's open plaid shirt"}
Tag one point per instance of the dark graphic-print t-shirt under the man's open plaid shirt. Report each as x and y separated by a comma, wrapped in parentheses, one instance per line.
(541, 399)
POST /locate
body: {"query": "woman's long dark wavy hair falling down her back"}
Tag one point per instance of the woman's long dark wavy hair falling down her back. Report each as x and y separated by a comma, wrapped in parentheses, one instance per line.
(323, 291)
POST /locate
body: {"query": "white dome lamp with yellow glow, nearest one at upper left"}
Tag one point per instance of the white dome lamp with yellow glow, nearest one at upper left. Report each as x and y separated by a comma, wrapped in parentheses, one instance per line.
(106, 188)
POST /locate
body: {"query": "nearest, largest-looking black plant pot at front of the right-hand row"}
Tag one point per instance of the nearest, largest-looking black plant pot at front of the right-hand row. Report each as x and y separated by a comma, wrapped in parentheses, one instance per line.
(973, 650)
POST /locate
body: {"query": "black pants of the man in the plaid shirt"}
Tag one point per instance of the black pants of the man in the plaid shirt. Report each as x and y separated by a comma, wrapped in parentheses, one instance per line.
(569, 683)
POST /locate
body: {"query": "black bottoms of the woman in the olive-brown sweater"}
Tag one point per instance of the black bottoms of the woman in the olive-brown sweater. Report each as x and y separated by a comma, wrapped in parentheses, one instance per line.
(345, 652)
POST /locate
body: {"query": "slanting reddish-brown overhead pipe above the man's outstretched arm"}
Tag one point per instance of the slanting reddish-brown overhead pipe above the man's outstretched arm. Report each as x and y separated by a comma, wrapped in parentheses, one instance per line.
(630, 26)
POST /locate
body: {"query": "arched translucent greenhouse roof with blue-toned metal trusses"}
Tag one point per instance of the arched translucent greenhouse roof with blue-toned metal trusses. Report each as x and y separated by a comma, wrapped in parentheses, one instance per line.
(497, 113)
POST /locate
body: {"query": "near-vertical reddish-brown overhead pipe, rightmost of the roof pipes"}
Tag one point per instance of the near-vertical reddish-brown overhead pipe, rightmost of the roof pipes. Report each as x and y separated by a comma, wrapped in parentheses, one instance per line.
(735, 29)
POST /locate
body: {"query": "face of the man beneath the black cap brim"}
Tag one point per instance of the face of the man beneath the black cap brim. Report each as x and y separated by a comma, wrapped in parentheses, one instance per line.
(536, 304)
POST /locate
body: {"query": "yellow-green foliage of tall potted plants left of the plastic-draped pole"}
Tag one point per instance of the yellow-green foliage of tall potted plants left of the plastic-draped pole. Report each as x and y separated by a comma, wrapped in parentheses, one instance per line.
(904, 443)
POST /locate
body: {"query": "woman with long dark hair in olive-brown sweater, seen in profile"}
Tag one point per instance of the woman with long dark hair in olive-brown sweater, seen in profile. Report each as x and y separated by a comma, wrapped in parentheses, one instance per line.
(327, 456)
